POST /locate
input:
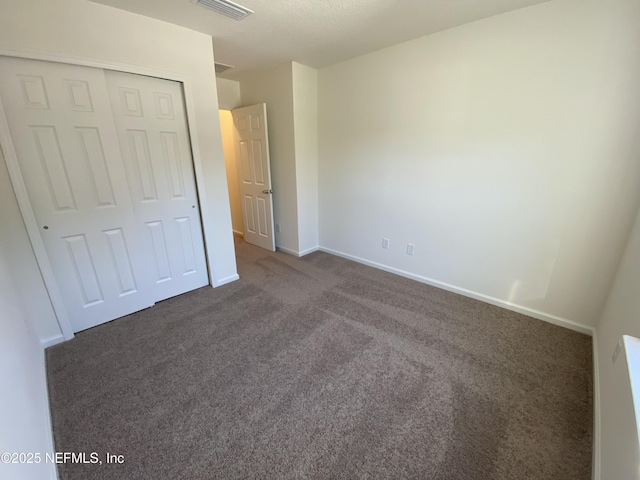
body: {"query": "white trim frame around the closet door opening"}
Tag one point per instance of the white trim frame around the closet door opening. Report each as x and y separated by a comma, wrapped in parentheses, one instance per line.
(24, 203)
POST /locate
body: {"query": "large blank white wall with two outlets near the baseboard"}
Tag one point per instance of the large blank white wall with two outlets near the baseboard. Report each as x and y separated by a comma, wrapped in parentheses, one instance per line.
(506, 150)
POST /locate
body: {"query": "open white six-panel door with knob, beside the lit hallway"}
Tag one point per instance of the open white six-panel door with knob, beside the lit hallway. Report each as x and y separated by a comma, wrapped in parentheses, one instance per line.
(254, 171)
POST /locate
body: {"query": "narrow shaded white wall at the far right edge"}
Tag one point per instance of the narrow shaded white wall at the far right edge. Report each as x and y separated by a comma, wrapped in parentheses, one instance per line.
(620, 451)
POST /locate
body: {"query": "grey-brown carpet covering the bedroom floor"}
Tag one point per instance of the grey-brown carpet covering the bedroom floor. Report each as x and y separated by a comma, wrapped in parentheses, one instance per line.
(323, 368)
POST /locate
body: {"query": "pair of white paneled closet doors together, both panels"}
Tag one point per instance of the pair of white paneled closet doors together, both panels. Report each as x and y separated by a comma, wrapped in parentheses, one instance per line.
(83, 192)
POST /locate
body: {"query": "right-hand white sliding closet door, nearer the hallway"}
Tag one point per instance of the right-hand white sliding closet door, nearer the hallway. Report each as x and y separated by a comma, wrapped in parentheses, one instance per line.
(150, 118)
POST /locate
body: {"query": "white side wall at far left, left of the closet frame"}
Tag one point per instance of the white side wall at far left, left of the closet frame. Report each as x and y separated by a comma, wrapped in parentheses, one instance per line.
(24, 415)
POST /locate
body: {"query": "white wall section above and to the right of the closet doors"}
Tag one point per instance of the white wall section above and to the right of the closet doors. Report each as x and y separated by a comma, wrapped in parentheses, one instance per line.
(77, 28)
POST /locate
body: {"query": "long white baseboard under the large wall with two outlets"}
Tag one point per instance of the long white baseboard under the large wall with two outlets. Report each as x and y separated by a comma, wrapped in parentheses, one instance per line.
(563, 322)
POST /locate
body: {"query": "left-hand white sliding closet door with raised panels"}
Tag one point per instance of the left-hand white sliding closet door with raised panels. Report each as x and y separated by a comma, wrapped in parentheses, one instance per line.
(62, 127)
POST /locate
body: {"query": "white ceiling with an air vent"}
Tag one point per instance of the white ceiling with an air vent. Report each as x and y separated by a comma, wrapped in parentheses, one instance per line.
(316, 33)
